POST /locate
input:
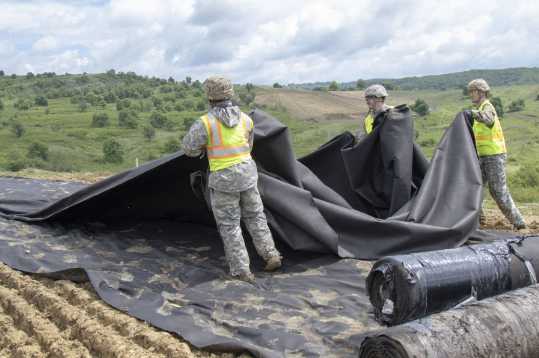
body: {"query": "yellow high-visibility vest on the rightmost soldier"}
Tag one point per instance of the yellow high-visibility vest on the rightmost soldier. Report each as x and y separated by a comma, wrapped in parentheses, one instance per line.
(488, 141)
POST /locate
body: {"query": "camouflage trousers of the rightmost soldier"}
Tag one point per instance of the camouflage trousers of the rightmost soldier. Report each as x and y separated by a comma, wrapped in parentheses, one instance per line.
(493, 172)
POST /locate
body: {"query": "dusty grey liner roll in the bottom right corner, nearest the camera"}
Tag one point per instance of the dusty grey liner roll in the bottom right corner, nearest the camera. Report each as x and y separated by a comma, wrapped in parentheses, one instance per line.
(502, 326)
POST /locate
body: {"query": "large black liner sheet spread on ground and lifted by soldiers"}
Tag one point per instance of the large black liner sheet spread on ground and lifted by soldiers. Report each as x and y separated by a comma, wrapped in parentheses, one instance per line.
(147, 241)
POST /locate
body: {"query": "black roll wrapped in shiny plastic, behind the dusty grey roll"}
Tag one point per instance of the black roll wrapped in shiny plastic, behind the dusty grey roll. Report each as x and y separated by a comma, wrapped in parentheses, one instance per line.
(406, 287)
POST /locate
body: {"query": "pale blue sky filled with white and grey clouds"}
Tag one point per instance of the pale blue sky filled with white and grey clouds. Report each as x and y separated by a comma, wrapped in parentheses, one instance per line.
(268, 41)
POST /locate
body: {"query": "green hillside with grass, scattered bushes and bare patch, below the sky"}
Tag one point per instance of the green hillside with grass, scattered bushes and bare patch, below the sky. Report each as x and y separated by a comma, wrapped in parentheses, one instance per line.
(46, 121)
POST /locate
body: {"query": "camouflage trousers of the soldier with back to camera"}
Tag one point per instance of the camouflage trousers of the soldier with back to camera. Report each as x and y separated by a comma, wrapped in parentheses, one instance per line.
(228, 209)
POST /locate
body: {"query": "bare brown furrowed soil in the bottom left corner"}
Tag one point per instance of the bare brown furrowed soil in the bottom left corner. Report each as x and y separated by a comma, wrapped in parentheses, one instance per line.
(40, 317)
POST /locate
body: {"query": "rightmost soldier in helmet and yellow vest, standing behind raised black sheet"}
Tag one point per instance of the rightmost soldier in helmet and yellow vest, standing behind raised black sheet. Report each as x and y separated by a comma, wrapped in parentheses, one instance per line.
(490, 144)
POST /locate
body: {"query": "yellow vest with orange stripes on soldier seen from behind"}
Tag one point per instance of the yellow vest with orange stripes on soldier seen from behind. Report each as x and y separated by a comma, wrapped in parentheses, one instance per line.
(227, 146)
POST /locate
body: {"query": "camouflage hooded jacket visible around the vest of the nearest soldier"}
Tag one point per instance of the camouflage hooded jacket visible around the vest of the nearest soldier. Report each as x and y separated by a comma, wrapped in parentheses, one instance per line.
(236, 178)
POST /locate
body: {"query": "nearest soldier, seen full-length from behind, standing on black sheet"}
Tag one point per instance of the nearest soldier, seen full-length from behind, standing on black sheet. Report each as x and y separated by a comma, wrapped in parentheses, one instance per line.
(226, 135)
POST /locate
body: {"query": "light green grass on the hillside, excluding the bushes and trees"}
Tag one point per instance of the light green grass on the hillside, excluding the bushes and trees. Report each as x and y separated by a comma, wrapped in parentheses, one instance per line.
(76, 147)
